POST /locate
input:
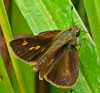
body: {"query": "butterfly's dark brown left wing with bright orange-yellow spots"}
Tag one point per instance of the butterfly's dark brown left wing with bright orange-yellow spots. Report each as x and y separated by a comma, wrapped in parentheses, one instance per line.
(32, 47)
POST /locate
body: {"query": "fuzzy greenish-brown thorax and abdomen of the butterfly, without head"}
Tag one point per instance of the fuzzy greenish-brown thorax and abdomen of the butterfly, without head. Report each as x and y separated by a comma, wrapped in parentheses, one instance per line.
(45, 60)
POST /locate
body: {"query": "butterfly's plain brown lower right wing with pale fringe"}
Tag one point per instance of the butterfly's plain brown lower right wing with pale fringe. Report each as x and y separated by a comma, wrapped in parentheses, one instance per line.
(65, 69)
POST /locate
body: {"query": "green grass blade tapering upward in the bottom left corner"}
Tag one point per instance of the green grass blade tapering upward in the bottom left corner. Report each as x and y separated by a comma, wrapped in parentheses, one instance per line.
(5, 84)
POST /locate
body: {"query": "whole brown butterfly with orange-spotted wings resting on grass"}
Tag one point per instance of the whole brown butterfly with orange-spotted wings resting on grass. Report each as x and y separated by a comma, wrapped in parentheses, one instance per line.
(53, 53)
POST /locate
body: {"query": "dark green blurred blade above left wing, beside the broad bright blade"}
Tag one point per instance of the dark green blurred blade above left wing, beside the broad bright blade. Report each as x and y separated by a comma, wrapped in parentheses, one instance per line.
(21, 27)
